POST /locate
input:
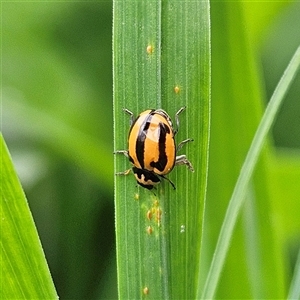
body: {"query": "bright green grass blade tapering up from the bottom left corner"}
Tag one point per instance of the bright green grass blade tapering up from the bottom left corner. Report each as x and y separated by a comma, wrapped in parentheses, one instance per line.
(24, 270)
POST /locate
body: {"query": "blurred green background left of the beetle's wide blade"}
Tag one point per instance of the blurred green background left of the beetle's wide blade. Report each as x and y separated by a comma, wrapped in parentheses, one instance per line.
(57, 103)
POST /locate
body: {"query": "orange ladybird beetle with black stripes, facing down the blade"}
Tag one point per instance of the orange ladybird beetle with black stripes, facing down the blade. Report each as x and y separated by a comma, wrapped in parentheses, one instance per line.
(152, 149)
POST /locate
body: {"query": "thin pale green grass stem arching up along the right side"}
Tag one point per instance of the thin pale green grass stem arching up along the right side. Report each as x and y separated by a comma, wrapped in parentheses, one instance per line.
(245, 176)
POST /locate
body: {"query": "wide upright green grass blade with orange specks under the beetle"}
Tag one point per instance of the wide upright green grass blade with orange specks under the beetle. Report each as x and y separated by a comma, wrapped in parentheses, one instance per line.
(161, 60)
